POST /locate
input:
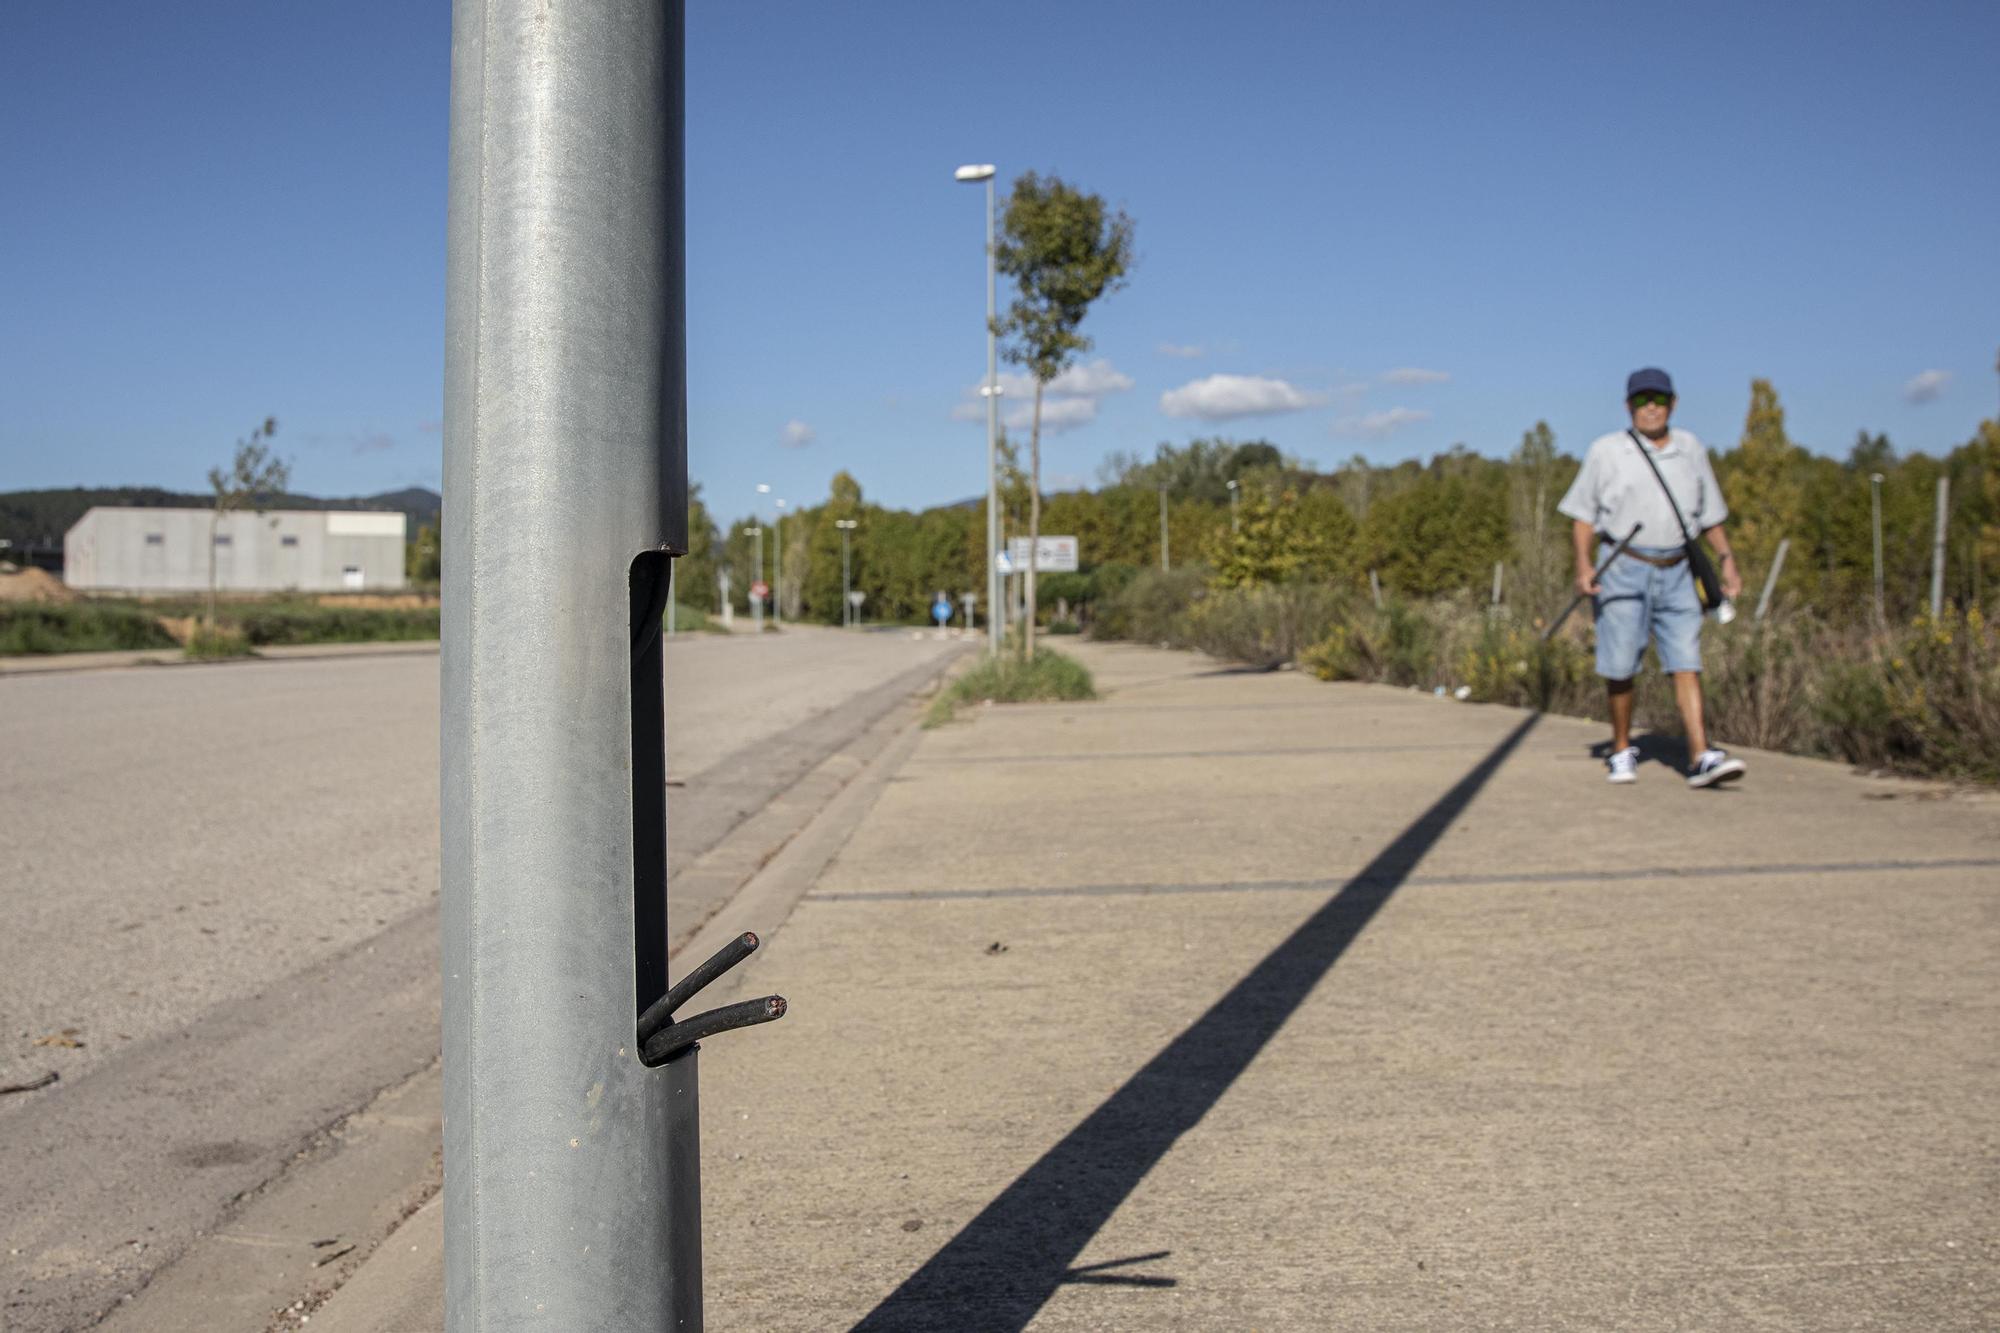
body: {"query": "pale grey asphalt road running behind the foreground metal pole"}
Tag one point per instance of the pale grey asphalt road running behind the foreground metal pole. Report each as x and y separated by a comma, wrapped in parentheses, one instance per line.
(219, 890)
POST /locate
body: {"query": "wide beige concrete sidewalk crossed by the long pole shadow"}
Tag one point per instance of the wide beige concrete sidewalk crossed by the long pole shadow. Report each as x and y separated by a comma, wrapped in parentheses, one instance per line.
(1245, 1002)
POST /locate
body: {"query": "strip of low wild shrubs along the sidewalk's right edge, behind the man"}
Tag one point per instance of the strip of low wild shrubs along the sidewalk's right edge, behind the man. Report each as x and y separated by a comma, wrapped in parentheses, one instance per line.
(1921, 702)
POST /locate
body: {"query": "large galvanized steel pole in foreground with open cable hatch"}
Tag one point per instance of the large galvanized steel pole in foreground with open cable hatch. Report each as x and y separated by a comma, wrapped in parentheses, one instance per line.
(565, 499)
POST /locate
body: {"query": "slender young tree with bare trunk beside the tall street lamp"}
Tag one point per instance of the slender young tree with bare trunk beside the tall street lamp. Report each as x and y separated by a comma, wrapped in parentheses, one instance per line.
(1065, 249)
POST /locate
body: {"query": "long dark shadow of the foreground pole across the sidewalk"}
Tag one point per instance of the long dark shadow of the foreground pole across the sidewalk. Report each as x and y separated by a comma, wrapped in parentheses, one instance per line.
(1009, 1260)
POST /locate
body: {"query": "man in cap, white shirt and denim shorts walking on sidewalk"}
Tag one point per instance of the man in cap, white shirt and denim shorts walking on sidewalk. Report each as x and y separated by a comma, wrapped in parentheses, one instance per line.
(1649, 589)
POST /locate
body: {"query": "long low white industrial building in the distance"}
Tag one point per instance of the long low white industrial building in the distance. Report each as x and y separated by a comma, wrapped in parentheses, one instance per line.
(273, 551)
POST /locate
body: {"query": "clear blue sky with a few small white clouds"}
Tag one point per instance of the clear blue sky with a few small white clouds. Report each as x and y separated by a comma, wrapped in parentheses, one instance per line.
(1393, 227)
